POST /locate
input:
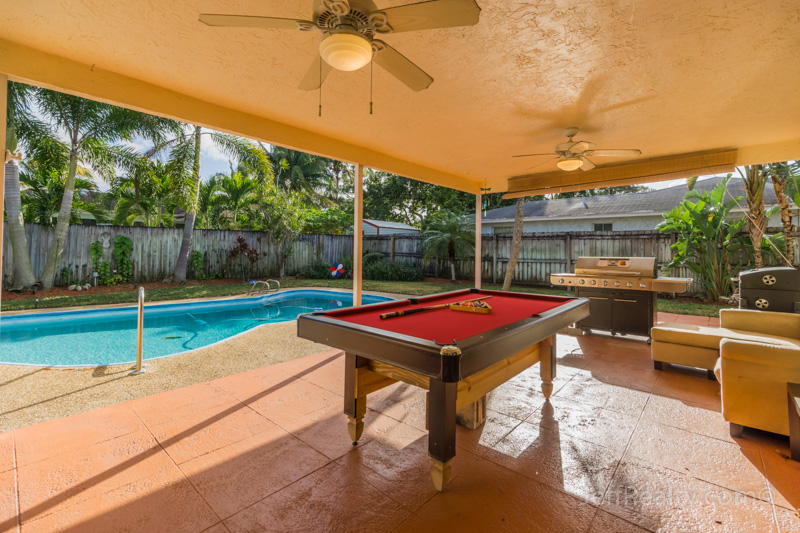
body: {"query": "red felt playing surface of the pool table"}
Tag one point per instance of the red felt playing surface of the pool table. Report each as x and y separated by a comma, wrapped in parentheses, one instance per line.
(445, 325)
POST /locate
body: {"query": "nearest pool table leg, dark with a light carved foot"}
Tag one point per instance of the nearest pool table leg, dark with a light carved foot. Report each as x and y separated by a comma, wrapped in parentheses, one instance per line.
(442, 432)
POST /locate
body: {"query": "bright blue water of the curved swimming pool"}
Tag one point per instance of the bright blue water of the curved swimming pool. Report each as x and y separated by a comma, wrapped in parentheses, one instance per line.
(108, 336)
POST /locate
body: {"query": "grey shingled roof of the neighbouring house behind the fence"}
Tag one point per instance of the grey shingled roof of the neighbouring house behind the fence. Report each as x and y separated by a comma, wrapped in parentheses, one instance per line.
(619, 205)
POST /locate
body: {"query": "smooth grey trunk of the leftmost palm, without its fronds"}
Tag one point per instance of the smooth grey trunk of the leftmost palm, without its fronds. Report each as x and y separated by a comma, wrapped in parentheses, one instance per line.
(22, 273)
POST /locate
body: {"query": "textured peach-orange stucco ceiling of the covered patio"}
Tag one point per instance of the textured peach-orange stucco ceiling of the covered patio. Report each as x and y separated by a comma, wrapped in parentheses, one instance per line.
(669, 78)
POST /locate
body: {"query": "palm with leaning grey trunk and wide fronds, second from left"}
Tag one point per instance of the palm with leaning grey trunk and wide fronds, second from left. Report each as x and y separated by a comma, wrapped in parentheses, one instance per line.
(91, 128)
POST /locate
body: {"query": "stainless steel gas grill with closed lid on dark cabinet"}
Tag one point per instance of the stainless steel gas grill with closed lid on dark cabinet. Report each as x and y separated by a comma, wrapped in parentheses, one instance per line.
(621, 291)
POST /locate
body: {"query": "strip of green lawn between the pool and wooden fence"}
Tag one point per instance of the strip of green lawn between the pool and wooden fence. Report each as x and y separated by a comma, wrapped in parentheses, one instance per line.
(233, 289)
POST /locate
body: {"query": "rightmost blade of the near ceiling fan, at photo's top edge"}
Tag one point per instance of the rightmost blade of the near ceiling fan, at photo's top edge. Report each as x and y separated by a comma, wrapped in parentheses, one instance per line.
(433, 14)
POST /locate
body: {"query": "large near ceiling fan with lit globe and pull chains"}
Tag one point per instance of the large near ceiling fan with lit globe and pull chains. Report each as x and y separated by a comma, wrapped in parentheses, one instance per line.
(349, 28)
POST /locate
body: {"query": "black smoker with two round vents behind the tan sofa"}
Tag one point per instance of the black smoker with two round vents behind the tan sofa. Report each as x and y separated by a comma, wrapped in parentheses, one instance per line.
(770, 289)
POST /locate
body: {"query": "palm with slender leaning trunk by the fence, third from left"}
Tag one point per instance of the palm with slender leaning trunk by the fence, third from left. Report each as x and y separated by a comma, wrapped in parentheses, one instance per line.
(185, 149)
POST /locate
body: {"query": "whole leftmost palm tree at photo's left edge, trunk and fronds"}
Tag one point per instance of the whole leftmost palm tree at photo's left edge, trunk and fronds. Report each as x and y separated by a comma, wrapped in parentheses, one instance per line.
(17, 119)
